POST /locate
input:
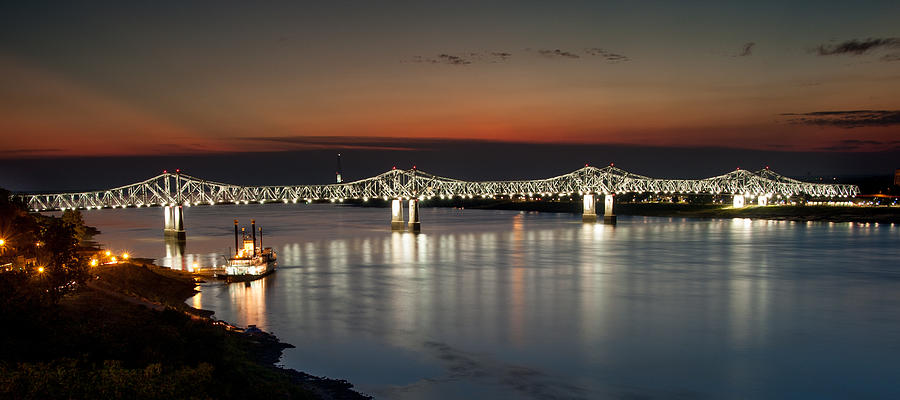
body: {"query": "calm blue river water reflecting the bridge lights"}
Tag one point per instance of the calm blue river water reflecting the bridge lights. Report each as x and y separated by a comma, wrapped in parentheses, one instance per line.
(504, 304)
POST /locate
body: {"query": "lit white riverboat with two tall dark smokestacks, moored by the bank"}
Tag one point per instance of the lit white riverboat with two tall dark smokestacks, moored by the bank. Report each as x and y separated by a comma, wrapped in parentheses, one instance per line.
(249, 261)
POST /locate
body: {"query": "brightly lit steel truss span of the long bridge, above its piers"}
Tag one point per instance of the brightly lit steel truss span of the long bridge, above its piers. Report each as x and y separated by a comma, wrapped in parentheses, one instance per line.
(169, 189)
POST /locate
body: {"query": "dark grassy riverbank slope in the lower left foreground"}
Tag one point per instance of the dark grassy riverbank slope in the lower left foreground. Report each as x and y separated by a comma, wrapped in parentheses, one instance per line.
(127, 333)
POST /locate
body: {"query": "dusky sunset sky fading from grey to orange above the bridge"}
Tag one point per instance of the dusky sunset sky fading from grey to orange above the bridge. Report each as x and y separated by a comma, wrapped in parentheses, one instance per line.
(83, 80)
